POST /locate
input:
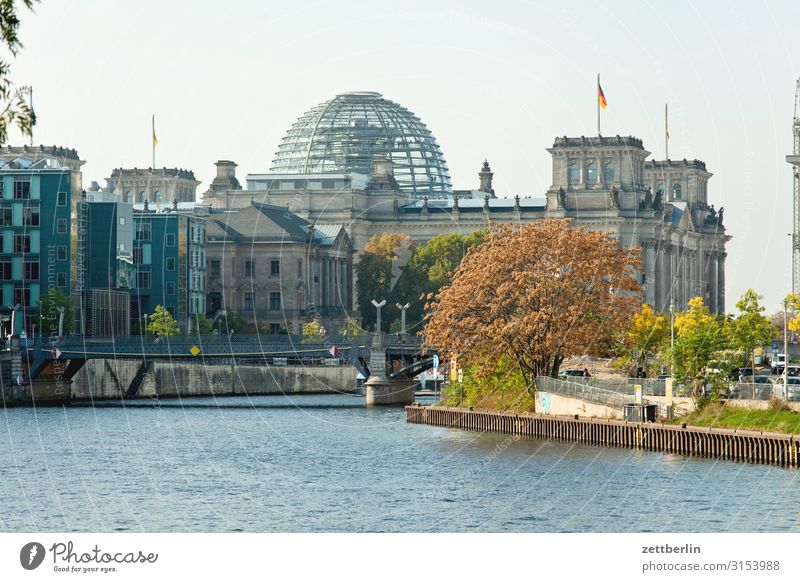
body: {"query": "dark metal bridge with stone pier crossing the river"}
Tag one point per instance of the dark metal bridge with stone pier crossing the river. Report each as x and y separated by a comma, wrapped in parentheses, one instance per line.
(388, 366)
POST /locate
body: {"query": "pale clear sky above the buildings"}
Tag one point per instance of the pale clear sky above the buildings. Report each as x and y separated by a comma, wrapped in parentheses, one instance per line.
(497, 80)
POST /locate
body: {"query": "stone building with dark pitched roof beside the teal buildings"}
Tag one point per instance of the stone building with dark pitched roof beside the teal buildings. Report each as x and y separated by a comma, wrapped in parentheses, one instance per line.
(271, 267)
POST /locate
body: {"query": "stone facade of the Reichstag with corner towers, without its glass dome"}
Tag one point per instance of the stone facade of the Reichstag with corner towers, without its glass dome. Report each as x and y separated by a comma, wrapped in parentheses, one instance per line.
(604, 184)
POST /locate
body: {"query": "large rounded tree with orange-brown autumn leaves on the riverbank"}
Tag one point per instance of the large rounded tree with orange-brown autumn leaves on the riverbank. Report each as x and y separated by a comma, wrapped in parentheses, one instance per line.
(535, 295)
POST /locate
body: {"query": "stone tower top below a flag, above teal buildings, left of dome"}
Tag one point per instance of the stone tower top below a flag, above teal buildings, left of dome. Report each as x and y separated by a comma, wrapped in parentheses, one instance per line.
(156, 186)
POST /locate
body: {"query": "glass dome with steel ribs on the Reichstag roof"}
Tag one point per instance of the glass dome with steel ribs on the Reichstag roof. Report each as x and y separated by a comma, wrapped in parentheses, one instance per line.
(345, 133)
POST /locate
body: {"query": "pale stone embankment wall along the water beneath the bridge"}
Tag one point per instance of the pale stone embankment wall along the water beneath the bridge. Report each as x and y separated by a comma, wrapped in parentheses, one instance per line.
(100, 379)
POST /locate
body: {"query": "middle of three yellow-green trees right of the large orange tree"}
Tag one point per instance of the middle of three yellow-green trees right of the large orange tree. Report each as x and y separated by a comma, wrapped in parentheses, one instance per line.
(700, 337)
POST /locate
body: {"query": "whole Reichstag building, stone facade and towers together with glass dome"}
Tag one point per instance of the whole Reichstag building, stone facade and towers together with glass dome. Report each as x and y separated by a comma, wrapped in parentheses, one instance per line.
(364, 162)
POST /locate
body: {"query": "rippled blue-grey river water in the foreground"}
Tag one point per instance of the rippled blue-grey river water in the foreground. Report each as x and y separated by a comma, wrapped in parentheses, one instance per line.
(325, 463)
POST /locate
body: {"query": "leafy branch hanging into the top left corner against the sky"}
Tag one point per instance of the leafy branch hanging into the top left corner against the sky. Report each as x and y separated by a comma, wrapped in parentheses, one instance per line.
(14, 107)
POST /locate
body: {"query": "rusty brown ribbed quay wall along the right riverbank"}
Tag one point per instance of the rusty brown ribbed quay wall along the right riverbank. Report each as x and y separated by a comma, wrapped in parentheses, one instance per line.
(712, 443)
